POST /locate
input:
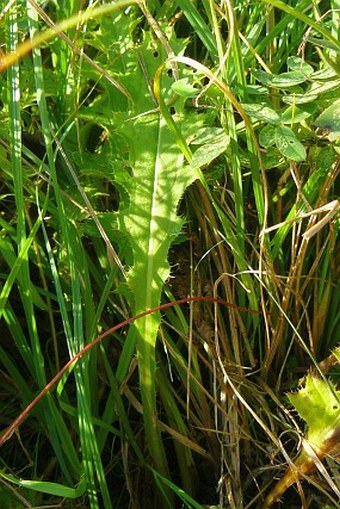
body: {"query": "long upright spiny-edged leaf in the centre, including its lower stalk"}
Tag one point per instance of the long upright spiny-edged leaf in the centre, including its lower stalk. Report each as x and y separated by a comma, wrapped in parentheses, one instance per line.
(151, 222)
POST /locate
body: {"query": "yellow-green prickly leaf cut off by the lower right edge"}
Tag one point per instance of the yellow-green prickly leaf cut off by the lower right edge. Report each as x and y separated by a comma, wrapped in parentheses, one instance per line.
(318, 403)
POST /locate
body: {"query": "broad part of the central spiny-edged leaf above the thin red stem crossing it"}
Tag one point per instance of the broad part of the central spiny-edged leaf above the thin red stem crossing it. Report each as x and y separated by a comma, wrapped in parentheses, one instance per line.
(151, 220)
